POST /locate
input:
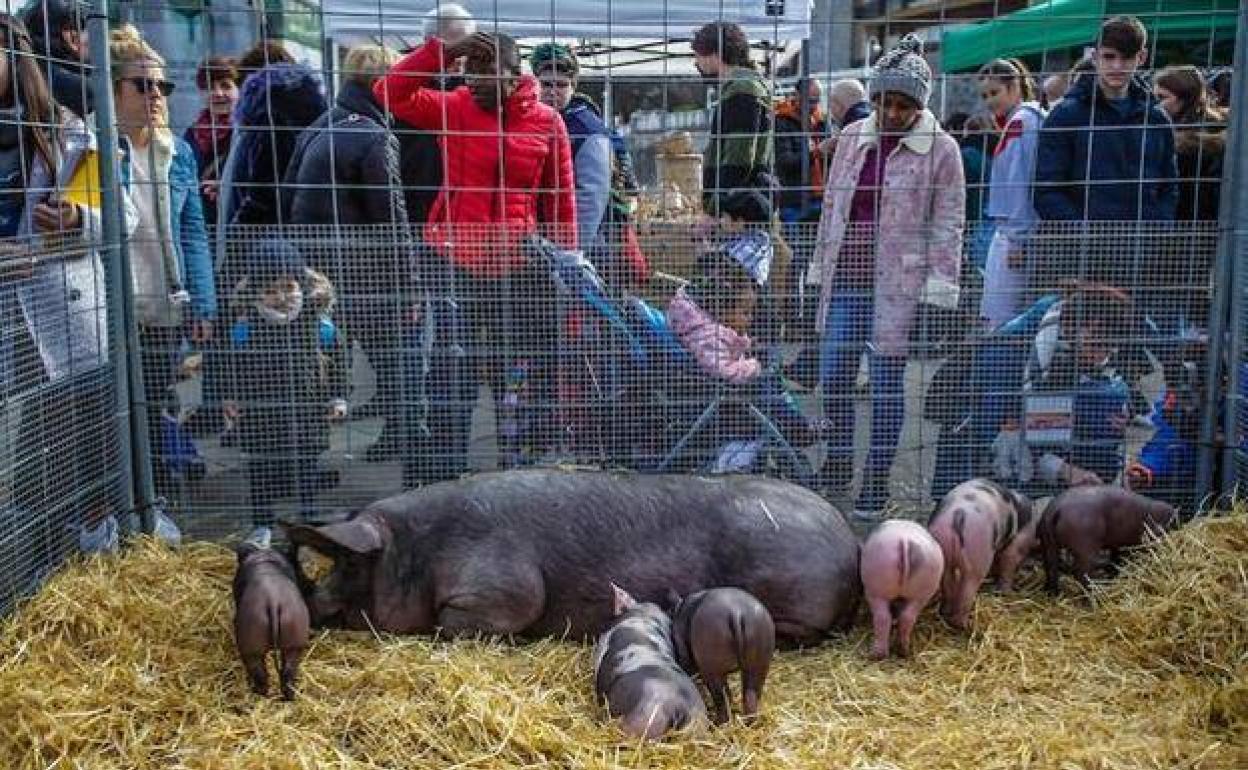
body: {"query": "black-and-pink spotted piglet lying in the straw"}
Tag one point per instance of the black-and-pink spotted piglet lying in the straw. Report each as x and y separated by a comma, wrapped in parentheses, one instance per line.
(637, 675)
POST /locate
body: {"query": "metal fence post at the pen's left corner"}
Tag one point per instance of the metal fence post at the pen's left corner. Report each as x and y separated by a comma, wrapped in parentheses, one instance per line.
(124, 336)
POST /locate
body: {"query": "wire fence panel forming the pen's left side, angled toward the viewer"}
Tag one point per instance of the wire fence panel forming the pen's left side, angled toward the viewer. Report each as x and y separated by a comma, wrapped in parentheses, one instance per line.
(64, 456)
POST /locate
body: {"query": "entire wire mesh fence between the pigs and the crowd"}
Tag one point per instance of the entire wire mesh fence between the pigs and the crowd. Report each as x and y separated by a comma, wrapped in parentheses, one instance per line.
(875, 249)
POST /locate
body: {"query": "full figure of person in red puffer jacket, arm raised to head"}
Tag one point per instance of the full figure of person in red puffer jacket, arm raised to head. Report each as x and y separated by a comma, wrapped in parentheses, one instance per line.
(507, 177)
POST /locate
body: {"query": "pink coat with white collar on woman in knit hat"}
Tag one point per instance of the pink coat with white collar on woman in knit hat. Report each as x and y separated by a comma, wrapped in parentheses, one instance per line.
(919, 231)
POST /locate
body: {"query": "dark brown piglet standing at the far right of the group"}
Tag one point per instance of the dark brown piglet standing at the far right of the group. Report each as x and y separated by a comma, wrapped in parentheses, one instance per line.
(1086, 521)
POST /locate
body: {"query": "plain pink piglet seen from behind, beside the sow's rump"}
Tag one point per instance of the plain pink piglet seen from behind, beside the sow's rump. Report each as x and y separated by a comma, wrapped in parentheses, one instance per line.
(902, 572)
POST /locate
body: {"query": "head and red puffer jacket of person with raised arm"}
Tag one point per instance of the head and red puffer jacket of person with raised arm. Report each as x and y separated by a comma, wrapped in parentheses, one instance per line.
(509, 160)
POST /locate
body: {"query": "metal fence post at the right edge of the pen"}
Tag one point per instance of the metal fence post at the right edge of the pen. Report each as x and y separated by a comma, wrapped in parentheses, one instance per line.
(1226, 343)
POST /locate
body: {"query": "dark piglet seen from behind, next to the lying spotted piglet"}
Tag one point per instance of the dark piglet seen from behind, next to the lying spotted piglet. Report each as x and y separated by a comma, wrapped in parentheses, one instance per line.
(722, 631)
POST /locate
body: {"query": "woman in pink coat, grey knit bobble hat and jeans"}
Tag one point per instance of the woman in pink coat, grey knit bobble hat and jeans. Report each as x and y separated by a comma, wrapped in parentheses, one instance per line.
(890, 239)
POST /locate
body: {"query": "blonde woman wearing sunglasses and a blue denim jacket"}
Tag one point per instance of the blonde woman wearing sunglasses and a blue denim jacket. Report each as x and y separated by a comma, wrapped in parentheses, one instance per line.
(170, 264)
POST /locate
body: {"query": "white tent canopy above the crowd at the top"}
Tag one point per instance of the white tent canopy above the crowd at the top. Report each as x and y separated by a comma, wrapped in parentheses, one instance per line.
(776, 21)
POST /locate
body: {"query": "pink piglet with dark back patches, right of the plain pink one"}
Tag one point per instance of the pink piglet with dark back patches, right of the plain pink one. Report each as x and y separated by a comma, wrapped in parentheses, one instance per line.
(982, 527)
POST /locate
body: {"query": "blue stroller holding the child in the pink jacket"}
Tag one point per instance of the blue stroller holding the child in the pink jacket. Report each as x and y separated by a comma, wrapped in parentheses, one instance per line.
(647, 405)
